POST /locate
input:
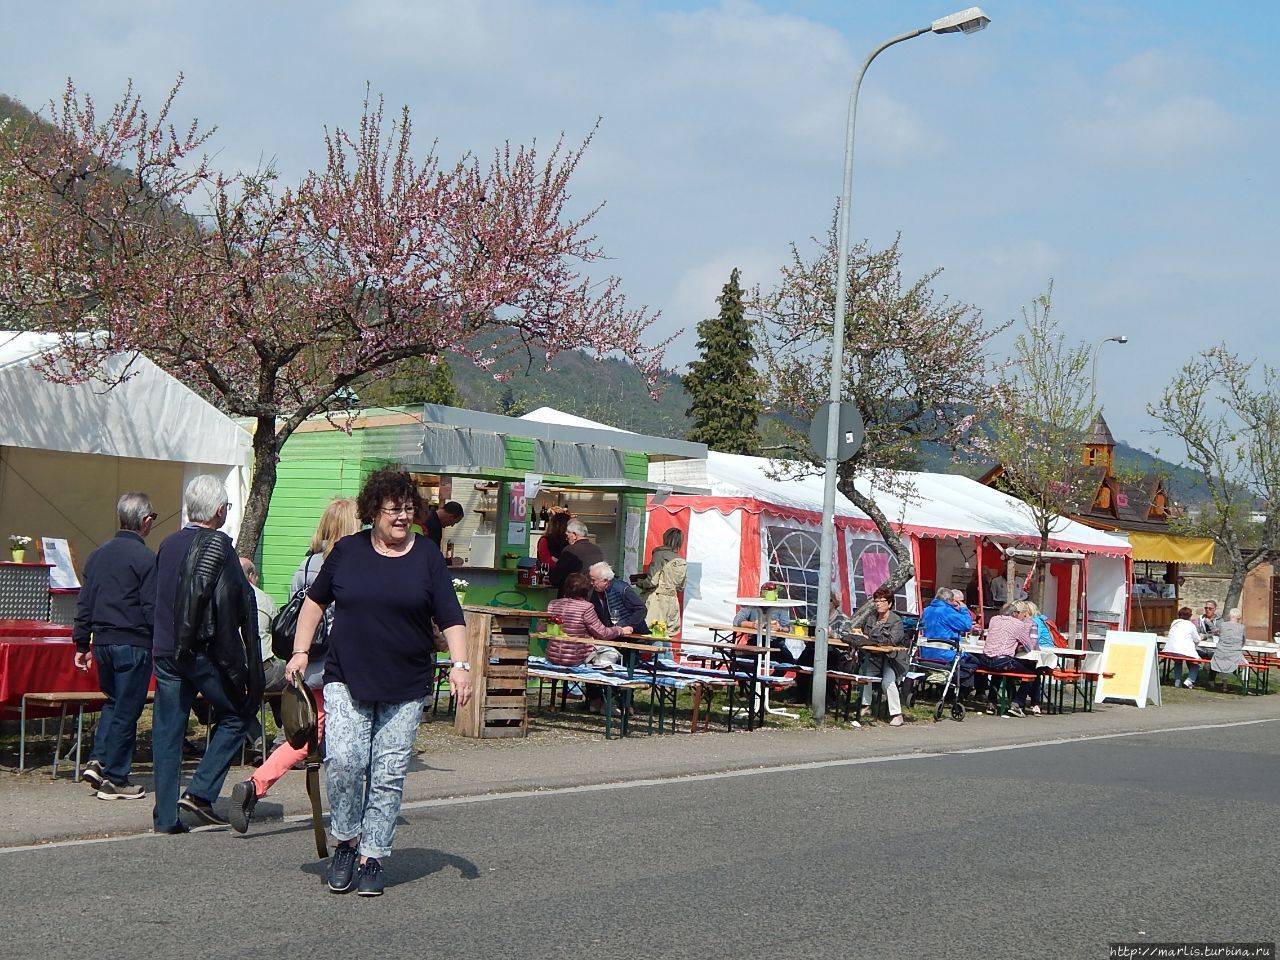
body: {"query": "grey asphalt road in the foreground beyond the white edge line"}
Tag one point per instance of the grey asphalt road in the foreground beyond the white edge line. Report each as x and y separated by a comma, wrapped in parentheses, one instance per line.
(1040, 852)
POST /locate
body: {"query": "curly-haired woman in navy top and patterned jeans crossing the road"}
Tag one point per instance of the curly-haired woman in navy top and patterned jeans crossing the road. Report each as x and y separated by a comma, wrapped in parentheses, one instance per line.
(387, 587)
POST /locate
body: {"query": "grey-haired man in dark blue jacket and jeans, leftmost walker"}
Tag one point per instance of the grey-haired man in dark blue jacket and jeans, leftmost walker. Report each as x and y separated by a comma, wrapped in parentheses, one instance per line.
(116, 611)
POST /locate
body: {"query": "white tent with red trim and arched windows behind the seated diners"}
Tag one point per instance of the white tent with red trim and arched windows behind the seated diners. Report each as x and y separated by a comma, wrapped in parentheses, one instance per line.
(755, 528)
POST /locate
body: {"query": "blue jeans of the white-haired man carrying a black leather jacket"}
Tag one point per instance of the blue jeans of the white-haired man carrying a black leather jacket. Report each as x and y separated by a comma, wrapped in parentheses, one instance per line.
(177, 685)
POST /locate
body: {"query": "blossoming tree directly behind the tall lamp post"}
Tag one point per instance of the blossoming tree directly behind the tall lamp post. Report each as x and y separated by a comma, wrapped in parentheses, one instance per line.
(915, 365)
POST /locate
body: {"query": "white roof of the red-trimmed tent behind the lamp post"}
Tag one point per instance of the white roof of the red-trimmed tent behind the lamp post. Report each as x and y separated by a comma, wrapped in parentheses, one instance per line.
(944, 505)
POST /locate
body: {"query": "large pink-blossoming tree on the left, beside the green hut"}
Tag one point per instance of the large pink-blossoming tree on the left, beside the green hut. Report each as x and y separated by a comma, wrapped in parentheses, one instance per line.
(276, 301)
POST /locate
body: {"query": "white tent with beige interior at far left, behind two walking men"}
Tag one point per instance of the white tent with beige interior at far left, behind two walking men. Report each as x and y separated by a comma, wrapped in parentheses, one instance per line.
(67, 452)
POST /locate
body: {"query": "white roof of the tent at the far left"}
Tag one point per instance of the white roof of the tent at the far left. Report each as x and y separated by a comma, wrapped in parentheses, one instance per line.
(149, 417)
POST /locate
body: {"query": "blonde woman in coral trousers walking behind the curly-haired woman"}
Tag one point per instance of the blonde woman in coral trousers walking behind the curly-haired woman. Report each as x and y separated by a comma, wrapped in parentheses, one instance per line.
(340, 520)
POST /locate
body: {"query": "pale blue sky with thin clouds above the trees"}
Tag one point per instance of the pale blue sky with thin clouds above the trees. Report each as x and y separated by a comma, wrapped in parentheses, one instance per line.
(1119, 149)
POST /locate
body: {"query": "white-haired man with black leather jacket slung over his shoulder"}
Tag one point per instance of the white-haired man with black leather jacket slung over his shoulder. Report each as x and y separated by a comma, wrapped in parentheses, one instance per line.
(205, 643)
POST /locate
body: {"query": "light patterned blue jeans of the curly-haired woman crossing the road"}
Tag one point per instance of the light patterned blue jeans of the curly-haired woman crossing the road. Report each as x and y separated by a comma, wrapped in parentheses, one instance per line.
(374, 738)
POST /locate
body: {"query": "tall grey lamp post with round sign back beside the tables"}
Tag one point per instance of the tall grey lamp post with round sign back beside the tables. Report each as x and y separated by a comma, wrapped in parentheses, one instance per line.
(968, 21)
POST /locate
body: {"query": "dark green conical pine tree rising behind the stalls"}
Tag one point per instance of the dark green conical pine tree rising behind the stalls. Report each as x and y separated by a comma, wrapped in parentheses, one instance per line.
(724, 383)
